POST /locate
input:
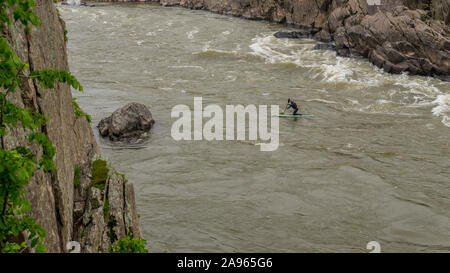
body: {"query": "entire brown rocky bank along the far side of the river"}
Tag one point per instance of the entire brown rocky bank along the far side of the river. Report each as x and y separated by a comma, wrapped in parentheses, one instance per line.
(396, 35)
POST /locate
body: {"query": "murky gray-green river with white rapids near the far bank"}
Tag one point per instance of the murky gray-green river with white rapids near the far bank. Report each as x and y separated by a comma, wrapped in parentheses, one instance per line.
(371, 165)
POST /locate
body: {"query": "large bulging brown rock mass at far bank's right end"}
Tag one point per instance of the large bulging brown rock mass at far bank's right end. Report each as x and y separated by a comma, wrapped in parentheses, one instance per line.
(399, 40)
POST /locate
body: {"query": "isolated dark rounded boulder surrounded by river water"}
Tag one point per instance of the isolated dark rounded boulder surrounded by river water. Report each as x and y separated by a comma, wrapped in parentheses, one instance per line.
(128, 122)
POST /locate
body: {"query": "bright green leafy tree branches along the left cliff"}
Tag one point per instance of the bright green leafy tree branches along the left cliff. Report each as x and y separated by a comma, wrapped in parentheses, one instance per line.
(18, 164)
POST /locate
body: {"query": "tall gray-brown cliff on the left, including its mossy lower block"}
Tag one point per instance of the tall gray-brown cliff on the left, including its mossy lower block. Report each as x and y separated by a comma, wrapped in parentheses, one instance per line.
(64, 201)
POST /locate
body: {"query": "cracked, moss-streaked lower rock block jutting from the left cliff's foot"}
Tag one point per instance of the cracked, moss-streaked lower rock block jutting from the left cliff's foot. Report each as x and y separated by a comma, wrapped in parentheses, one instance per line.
(107, 214)
